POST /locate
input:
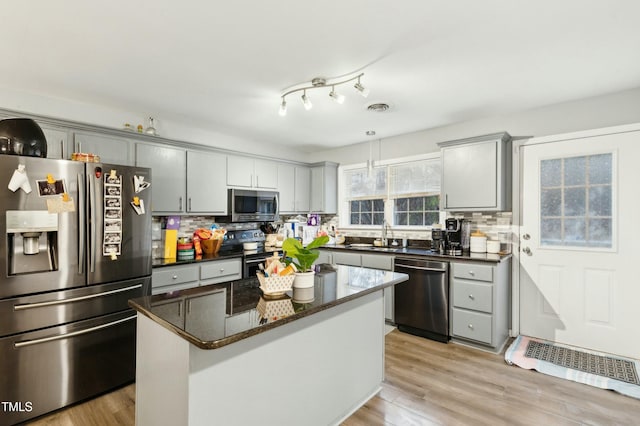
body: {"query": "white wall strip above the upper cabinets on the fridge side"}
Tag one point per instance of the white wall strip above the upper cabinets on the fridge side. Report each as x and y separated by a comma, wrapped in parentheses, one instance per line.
(112, 117)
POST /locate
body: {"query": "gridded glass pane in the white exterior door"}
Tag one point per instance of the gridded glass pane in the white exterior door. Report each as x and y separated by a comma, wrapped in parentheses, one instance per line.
(576, 201)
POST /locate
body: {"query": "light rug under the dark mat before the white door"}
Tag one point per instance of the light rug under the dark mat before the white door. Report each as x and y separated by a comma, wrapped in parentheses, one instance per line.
(517, 354)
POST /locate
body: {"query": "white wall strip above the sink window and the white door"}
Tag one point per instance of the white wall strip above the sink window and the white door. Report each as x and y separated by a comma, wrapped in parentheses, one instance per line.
(591, 113)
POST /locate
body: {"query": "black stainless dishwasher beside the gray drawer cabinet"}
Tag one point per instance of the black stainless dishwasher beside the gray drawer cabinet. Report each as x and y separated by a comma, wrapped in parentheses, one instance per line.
(422, 303)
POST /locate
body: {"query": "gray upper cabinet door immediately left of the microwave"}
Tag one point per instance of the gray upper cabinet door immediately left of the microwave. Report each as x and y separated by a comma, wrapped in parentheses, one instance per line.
(206, 189)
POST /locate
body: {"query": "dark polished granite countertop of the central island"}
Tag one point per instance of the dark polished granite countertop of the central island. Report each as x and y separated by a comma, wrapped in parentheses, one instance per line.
(204, 321)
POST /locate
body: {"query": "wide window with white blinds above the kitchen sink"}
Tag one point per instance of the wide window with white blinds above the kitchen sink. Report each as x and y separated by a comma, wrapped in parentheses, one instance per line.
(404, 193)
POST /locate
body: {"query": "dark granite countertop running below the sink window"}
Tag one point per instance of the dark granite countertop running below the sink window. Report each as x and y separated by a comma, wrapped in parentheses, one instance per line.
(422, 252)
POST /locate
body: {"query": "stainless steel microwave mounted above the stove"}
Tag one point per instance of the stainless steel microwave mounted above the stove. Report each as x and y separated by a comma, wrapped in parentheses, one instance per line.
(247, 205)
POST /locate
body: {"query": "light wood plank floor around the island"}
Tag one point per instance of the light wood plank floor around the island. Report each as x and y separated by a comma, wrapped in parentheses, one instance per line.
(430, 383)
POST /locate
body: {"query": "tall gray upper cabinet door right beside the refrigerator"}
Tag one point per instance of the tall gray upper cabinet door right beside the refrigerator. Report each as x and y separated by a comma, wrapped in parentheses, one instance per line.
(168, 179)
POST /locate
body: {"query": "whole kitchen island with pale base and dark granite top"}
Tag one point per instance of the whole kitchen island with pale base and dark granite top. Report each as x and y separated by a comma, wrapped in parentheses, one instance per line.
(226, 354)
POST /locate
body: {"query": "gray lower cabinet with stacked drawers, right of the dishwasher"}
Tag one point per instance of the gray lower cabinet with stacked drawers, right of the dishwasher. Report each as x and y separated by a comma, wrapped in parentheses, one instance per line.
(480, 303)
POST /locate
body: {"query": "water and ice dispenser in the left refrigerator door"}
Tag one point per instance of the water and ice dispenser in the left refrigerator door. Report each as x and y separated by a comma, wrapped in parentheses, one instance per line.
(32, 241)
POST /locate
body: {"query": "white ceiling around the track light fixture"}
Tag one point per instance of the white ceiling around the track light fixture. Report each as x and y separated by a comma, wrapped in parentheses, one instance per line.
(223, 65)
